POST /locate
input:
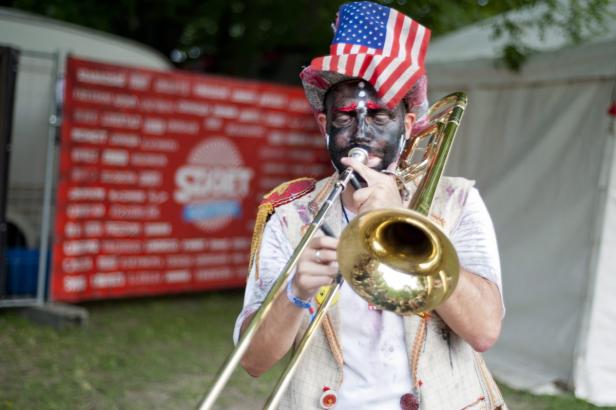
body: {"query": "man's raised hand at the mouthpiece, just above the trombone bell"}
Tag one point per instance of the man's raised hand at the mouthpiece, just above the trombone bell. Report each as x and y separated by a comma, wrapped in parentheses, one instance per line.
(381, 192)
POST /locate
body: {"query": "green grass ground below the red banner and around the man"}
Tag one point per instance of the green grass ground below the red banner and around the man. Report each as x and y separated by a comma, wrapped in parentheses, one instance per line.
(156, 353)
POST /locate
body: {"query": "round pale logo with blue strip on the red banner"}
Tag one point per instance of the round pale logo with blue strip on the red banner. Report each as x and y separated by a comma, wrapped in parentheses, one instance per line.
(212, 184)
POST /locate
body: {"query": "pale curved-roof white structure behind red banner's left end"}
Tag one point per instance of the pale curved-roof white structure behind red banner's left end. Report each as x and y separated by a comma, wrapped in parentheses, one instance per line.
(38, 38)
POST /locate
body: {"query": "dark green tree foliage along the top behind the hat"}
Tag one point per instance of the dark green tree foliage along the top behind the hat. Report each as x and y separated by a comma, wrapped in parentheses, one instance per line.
(271, 39)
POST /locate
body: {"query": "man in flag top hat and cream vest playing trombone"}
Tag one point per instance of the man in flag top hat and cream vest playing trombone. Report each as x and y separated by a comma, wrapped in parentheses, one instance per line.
(370, 93)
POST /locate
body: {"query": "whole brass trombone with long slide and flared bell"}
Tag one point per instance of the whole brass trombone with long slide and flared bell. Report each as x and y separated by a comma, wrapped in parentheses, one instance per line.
(396, 259)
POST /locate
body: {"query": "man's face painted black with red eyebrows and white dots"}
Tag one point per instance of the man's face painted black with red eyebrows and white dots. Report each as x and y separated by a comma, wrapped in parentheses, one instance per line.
(356, 117)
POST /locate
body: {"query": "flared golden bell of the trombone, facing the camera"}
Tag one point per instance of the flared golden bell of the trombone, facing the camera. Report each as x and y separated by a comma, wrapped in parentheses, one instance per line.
(398, 260)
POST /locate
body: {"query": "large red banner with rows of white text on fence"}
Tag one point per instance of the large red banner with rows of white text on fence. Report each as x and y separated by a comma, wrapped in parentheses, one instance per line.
(161, 174)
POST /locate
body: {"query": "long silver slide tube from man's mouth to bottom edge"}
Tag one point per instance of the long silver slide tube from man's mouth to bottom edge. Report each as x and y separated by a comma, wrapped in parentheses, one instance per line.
(226, 370)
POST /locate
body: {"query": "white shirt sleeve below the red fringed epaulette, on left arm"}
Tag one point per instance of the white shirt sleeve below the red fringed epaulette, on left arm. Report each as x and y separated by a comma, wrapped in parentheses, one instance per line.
(274, 253)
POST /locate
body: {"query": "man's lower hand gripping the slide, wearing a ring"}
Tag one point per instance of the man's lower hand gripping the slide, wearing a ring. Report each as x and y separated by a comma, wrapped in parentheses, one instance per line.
(316, 267)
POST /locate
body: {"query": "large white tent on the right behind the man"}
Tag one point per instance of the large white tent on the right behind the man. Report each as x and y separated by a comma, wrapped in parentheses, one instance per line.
(540, 145)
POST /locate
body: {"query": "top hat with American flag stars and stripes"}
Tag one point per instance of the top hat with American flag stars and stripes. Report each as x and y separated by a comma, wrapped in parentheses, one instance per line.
(378, 44)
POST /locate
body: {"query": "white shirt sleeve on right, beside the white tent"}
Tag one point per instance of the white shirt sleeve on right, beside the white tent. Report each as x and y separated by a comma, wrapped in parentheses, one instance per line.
(475, 240)
